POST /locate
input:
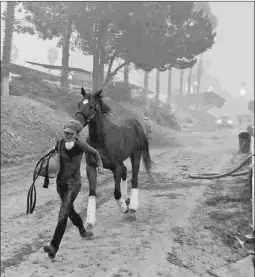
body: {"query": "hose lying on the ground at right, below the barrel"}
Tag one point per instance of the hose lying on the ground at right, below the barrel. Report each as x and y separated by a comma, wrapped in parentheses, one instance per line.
(211, 176)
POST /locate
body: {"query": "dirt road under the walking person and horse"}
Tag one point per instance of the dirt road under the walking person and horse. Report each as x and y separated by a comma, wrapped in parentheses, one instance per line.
(147, 244)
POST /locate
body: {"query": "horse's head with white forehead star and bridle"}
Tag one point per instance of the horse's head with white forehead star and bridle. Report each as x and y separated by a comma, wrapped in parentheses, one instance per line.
(88, 106)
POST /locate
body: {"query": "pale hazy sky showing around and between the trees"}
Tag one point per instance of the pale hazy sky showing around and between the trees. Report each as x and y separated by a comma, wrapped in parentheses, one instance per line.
(232, 55)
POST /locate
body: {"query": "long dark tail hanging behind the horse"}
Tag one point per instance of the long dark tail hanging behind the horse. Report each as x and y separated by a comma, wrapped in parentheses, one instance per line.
(146, 153)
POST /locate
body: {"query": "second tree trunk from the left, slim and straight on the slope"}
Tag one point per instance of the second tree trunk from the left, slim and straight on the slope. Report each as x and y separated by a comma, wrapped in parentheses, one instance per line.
(65, 53)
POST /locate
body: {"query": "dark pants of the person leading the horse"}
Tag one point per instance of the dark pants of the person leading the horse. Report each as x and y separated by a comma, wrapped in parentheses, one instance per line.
(67, 193)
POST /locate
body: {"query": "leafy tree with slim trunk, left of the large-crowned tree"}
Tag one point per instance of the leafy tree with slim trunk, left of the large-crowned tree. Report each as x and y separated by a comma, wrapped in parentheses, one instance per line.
(50, 20)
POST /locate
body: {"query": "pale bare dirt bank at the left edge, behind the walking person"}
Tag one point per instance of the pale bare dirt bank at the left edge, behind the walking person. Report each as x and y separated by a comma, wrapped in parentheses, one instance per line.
(27, 128)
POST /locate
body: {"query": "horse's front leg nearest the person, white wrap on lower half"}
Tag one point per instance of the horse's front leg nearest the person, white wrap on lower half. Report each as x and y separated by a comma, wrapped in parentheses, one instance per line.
(91, 210)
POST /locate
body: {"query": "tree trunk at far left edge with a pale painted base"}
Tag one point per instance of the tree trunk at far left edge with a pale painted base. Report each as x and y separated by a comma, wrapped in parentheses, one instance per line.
(7, 47)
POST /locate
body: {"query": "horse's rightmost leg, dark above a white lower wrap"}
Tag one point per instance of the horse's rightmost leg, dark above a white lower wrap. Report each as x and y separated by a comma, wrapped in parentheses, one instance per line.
(135, 161)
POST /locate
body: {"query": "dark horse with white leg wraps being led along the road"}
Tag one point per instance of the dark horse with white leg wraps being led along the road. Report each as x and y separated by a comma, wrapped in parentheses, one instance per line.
(116, 140)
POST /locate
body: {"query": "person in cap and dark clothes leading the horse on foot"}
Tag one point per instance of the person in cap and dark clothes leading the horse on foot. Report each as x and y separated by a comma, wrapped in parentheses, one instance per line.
(70, 150)
